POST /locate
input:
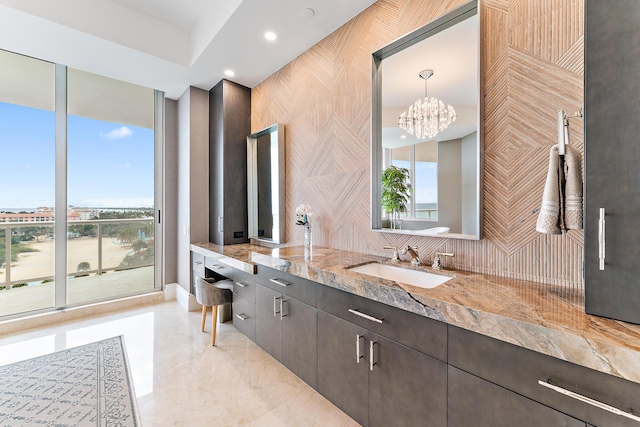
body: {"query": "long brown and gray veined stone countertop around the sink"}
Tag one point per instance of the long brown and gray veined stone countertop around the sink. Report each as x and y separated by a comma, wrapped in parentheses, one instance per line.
(544, 318)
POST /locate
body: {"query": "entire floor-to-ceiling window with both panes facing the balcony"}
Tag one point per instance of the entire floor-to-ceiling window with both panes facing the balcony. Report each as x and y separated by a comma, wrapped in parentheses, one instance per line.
(82, 169)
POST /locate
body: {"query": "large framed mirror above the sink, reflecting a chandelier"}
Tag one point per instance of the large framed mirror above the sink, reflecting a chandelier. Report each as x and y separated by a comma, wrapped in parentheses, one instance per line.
(426, 121)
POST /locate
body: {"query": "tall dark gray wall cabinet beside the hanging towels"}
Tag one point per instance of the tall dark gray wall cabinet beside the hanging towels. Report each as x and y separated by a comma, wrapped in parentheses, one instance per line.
(612, 154)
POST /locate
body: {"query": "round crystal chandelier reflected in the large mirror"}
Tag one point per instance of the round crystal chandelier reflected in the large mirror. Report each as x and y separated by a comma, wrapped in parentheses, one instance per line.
(428, 116)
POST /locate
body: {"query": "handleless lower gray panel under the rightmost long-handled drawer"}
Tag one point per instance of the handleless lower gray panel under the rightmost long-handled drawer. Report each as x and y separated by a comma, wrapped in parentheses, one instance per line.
(479, 403)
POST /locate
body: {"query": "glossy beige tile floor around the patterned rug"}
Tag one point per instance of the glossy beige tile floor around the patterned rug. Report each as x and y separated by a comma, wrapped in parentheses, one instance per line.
(180, 379)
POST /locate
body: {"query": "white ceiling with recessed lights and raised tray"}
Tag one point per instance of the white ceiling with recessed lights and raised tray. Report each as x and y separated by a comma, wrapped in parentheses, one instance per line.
(171, 44)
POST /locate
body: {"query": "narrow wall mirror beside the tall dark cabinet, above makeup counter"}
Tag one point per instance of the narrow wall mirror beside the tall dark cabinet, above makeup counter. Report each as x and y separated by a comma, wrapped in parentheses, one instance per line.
(265, 184)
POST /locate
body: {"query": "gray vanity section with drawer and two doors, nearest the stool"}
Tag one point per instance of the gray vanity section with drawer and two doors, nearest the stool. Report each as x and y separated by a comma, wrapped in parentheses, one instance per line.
(287, 321)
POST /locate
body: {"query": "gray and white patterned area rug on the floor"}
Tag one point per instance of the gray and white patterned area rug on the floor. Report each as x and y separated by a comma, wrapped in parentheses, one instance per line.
(83, 386)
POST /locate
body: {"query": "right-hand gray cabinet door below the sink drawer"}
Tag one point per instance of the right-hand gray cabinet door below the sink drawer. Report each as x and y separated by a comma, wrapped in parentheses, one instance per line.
(406, 388)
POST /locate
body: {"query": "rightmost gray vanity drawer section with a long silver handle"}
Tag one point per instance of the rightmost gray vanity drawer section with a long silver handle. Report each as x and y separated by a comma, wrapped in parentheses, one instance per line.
(516, 370)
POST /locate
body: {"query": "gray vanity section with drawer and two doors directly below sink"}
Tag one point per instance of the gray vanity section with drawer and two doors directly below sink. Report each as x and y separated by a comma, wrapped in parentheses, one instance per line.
(374, 379)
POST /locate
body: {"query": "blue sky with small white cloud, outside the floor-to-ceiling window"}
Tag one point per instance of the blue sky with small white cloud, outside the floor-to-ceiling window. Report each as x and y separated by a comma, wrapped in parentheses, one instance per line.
(109, 164)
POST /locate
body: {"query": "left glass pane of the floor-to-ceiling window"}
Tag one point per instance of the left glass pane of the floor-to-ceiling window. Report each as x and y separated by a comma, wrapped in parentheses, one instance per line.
(27, 179)
